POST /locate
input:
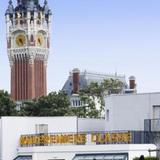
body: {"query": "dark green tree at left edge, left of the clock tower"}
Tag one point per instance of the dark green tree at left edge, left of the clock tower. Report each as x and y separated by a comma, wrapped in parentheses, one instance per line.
(7, 106)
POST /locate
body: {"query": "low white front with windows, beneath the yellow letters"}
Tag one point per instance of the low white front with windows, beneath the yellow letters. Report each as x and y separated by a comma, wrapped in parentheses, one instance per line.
(86, 152)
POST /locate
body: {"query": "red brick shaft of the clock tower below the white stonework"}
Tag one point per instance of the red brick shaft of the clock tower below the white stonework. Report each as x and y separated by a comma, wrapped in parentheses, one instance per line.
(28, 80)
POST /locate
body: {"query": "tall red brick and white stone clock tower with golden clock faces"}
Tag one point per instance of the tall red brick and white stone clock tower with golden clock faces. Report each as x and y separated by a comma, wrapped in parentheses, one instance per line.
(28, 43)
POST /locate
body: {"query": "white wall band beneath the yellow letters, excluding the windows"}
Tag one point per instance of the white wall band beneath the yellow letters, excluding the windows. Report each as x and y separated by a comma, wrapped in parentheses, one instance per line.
(68, 152)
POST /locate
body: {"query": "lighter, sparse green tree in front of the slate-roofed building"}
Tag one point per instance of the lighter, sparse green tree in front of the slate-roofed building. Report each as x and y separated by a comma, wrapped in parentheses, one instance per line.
(93, 97)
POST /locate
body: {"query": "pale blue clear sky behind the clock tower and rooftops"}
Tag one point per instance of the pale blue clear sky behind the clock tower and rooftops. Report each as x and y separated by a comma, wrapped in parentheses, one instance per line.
(104, 36)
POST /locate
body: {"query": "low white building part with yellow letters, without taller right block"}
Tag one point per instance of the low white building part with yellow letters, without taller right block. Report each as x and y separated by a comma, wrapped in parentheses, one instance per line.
(67, 138)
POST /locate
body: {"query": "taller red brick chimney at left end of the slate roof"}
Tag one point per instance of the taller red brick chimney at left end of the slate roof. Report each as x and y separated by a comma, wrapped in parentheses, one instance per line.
(76, 79)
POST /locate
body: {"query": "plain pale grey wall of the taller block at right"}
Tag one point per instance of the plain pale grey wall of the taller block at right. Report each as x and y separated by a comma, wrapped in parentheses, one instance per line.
(127, 112)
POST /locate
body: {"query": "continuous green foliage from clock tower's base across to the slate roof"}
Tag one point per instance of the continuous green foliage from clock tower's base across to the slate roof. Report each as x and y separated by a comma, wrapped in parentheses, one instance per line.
(58, 104)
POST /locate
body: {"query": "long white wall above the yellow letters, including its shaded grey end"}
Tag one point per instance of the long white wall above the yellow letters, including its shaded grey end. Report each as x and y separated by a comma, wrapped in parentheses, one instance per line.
(13, 127)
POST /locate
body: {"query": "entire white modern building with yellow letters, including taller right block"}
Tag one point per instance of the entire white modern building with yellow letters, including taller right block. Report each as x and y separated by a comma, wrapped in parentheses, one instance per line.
(120, 136)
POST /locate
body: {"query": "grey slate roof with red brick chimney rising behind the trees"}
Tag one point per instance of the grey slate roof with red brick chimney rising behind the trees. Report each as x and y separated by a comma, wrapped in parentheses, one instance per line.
(78, 80)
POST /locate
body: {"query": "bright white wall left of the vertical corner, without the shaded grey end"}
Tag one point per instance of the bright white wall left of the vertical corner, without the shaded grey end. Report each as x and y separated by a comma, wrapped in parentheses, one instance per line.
(14, 127)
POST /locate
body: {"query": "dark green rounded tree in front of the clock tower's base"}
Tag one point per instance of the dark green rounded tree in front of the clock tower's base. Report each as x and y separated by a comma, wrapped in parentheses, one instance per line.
(54, 104)
